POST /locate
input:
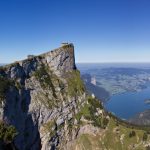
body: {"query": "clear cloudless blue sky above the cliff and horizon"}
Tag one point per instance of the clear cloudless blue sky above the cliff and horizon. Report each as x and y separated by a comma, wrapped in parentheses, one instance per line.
(101, 30)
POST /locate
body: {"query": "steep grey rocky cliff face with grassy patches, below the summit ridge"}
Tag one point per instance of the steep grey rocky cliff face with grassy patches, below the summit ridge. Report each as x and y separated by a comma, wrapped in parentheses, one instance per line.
(40, 98)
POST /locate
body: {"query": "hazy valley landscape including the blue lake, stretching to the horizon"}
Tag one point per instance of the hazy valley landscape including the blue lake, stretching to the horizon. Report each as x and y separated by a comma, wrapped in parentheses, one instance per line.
(124, 89)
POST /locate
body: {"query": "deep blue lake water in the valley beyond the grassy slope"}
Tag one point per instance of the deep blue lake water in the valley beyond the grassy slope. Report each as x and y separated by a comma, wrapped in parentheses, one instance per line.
(127, 105)
